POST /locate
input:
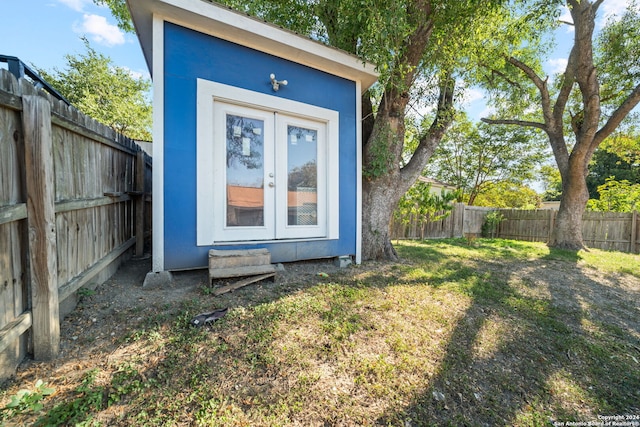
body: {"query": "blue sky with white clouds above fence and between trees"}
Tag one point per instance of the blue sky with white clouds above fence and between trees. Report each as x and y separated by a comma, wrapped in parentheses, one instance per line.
(42, 32)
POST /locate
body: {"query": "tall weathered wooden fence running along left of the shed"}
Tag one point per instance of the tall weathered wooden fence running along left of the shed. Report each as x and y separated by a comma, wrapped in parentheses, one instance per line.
(72, 206)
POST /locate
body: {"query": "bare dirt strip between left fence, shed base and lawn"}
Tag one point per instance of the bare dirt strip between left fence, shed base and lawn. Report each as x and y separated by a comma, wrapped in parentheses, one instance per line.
(118, 306)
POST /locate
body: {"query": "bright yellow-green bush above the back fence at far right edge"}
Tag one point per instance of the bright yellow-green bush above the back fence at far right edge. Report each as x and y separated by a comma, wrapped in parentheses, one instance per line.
(616, 196)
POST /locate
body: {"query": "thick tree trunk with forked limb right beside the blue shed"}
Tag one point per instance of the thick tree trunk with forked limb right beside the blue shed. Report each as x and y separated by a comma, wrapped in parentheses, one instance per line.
(384, 182)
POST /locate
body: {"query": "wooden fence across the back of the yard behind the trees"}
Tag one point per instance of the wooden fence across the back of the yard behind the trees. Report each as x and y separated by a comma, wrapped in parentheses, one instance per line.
(603, 230)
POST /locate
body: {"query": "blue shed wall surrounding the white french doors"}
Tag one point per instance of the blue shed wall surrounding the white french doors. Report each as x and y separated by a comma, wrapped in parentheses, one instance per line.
(190, 55)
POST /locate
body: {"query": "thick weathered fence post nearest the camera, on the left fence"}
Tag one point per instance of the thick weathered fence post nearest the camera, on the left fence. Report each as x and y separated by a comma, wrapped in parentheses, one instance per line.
(41, 221)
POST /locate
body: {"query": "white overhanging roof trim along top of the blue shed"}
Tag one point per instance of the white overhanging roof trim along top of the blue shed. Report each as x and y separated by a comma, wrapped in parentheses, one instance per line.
(227, 24)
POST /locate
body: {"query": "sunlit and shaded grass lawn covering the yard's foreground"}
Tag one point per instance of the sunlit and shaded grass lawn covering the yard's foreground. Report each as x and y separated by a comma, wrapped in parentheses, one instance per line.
(492, 333)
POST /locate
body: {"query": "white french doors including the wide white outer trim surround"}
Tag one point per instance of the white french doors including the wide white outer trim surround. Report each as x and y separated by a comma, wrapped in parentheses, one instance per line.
(267, 167)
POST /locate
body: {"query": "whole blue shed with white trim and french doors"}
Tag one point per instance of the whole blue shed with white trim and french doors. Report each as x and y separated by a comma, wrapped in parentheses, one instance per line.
(256, 136)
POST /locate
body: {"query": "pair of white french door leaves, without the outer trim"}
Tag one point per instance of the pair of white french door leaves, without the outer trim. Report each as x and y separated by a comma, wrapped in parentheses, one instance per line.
(269, 174)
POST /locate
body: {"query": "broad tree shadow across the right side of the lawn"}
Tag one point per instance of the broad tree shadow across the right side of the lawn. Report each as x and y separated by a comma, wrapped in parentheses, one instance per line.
(522, 359)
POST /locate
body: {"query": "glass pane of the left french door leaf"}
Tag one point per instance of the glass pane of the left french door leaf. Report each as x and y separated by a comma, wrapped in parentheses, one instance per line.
(245, 171)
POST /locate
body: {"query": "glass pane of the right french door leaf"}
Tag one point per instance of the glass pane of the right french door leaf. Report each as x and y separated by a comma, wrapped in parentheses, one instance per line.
(302, 182)
